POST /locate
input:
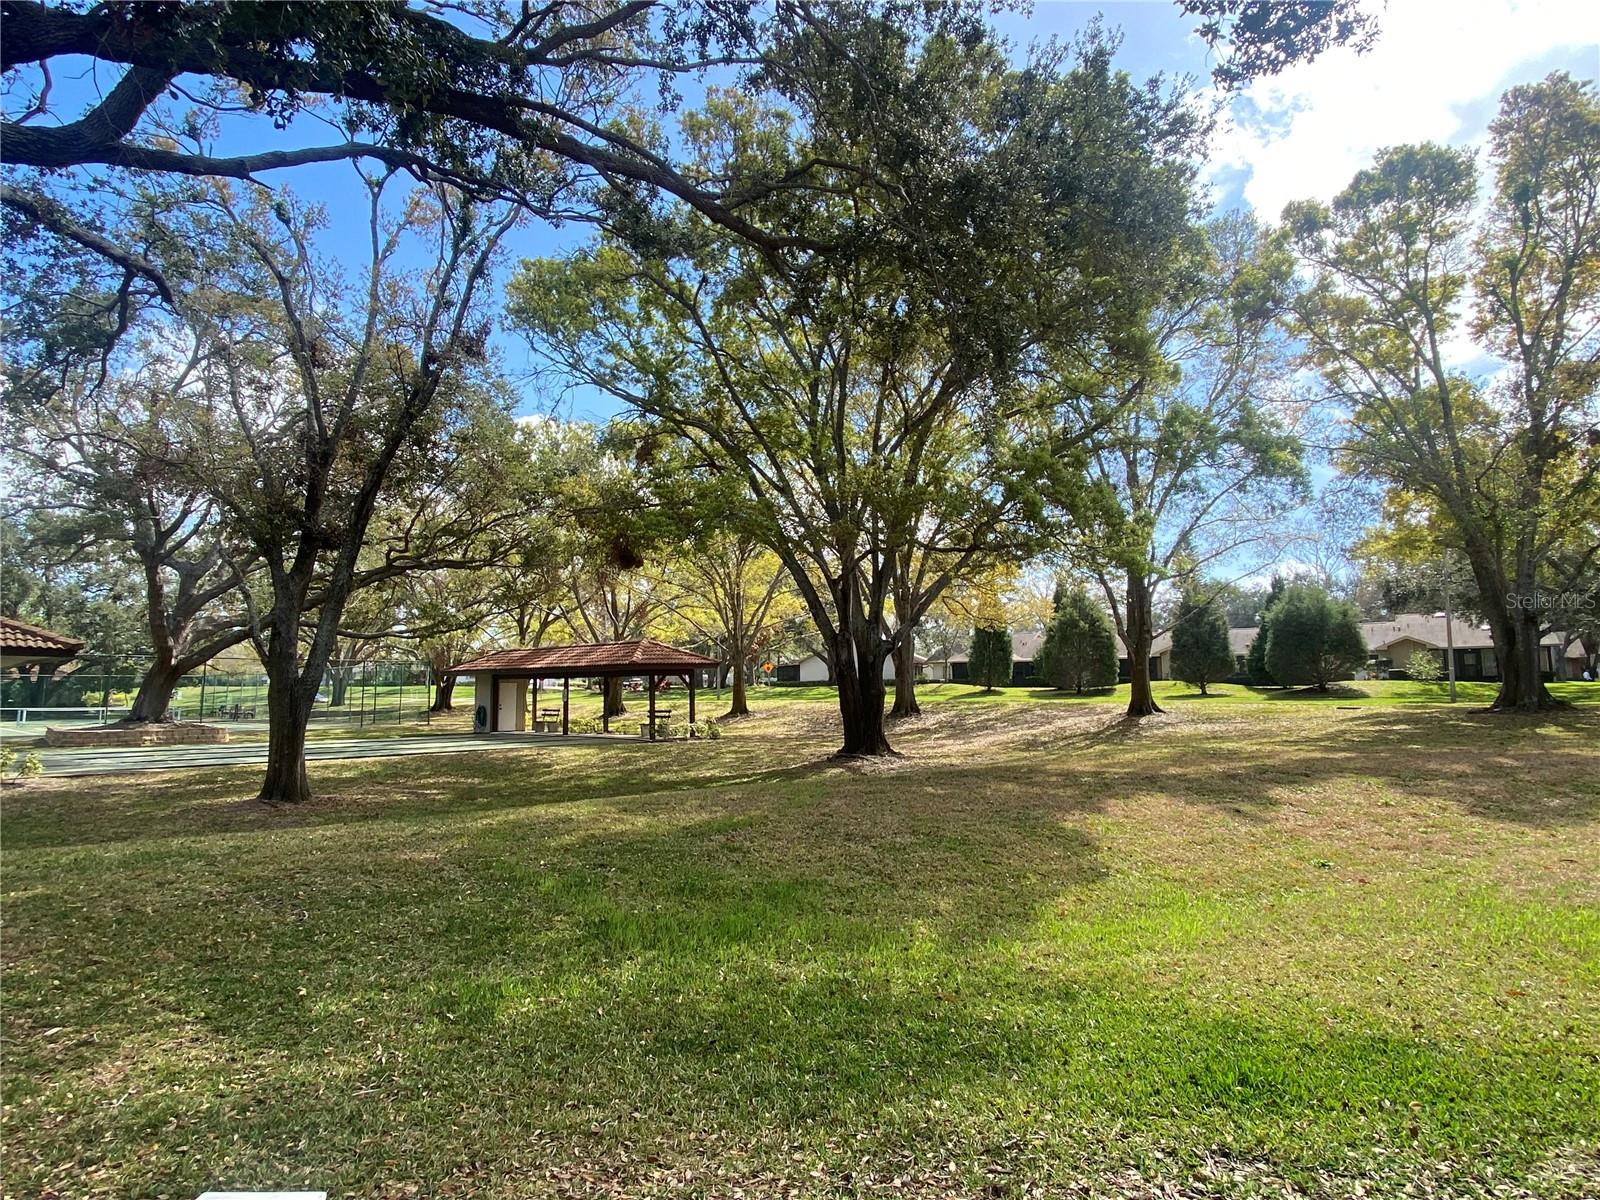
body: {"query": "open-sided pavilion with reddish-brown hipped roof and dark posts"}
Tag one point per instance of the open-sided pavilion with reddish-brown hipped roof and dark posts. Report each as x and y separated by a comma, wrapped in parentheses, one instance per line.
(502, 681)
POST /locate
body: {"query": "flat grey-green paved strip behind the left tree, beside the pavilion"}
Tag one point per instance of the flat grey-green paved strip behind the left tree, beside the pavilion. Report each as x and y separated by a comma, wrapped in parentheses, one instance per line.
(246, 754)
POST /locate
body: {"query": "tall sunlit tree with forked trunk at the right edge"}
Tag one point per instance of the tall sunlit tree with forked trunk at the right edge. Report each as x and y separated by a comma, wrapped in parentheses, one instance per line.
(1407, 260)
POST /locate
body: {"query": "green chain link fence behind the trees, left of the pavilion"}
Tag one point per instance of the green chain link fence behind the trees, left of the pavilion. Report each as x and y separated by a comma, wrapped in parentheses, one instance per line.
(102, 690)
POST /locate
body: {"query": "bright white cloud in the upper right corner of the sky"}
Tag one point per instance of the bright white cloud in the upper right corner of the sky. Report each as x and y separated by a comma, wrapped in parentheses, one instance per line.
(1434, 74)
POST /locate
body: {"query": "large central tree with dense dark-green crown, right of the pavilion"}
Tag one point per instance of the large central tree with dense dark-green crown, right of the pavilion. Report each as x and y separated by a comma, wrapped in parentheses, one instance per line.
(876, 407)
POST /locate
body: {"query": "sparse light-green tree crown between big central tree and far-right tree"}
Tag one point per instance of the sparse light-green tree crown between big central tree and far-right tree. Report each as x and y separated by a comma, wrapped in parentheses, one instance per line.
(1190, 460)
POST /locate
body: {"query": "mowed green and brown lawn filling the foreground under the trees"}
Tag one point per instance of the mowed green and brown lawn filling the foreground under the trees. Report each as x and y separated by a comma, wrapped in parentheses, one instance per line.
(1234, 951)
